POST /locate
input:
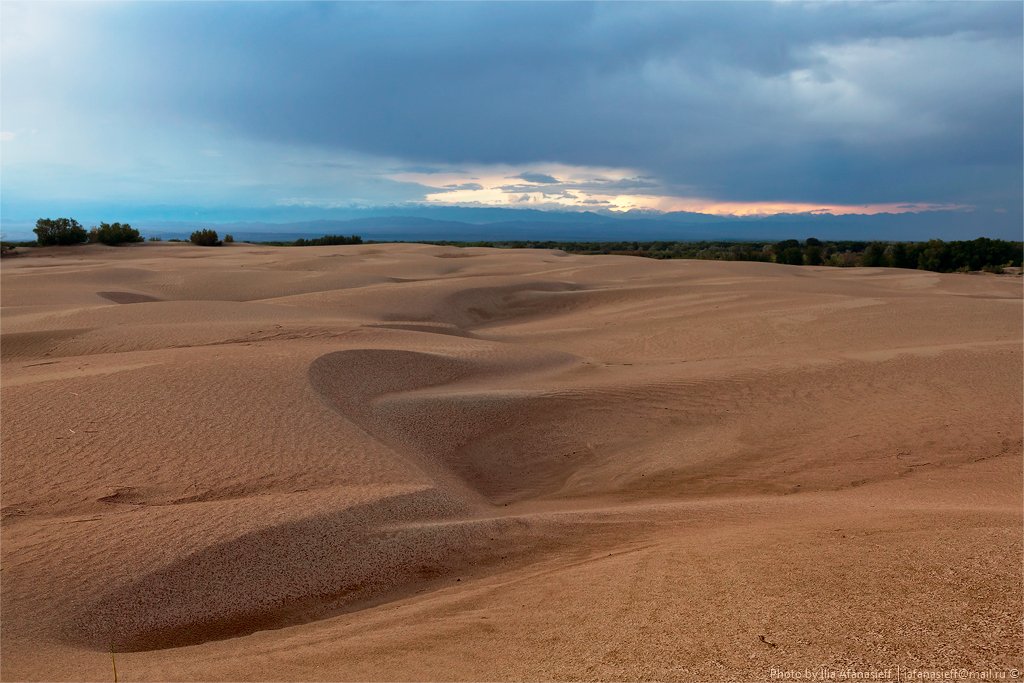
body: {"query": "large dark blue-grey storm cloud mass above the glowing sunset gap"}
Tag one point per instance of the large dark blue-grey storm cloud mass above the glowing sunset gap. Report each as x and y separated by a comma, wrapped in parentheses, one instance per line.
(829, 103)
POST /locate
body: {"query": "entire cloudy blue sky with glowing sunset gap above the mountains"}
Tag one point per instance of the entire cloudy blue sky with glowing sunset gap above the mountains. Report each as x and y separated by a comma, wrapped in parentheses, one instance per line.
(724, 108)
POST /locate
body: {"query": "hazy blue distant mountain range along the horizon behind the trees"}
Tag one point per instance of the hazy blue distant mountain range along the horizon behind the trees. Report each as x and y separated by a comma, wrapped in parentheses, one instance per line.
(472, 224)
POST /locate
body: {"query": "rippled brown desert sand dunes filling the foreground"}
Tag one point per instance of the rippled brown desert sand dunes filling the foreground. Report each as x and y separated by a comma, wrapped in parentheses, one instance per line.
(407, 462)
